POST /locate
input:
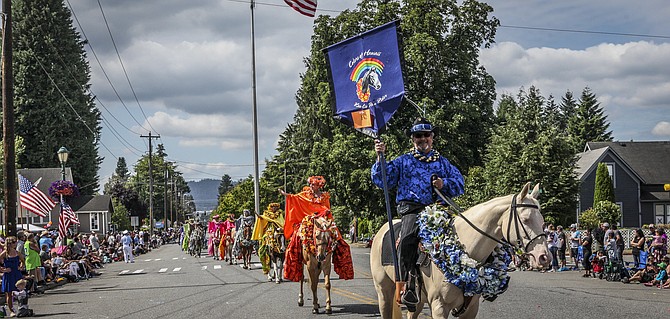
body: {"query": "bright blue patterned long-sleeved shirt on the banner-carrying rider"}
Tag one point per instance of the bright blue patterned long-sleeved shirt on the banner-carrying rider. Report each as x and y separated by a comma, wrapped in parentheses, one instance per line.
(412, 178)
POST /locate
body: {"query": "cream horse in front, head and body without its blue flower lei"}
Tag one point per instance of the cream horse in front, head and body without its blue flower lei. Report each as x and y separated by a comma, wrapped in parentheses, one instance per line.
(513, 219)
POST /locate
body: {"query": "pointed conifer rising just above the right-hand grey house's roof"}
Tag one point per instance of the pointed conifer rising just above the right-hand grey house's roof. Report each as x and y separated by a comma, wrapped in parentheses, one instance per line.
(589, 123)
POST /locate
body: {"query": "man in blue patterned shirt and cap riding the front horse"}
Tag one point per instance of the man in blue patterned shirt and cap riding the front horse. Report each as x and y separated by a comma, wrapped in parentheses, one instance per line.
(412, 174)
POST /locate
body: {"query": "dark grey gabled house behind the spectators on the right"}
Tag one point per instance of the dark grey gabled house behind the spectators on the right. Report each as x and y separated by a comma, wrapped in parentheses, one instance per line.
(638, 170)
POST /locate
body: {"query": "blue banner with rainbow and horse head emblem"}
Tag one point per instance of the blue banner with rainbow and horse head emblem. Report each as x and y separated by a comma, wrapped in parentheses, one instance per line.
(366, 79)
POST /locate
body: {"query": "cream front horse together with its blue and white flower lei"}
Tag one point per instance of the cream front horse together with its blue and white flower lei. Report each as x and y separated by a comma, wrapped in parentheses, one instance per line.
(468, 255)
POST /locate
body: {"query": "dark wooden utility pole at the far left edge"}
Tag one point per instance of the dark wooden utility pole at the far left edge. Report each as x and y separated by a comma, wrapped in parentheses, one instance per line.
(9, 165)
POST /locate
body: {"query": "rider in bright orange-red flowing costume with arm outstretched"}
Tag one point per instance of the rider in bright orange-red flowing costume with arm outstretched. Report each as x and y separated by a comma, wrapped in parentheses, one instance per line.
(310, 203)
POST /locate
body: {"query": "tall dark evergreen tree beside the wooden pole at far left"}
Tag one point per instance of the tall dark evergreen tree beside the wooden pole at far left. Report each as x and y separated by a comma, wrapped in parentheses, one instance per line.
(54, 106)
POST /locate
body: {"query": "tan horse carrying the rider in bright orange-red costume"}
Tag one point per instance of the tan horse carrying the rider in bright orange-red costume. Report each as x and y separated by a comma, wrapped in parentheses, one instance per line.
(317, 253)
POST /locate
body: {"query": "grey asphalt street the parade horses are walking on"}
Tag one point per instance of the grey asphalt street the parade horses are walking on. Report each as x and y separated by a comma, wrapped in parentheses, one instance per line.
(168, 283)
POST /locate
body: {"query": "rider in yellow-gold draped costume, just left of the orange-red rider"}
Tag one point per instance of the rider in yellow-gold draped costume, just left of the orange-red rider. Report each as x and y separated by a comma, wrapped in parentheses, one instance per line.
(272, 219)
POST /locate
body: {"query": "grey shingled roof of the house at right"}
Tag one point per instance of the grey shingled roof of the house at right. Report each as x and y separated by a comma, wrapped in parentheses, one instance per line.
(650, 160)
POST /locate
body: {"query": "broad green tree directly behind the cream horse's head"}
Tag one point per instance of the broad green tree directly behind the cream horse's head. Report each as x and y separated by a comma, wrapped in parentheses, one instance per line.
(525, 147)
